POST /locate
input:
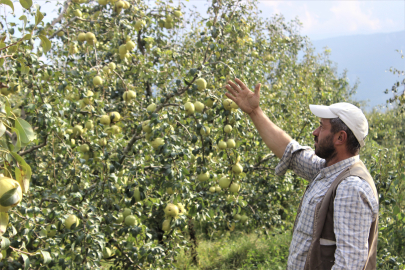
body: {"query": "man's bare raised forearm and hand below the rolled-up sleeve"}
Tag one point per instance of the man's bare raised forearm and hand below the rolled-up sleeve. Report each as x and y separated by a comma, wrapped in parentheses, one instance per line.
(274, 137)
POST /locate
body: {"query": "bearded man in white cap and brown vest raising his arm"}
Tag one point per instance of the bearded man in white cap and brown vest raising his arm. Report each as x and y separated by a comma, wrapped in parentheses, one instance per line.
(336, 225)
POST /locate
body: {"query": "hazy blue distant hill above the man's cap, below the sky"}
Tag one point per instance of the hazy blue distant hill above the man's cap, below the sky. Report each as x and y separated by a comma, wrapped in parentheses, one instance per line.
(367, 58)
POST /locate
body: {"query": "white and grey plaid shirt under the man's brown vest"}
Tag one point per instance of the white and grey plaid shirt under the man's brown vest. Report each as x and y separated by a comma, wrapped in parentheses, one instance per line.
(355, 208)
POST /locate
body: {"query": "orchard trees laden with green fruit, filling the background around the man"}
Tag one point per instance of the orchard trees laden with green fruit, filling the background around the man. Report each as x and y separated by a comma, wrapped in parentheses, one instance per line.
(117, 139)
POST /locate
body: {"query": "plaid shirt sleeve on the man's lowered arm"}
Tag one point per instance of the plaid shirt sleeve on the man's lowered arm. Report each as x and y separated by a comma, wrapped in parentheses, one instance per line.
(355, 208)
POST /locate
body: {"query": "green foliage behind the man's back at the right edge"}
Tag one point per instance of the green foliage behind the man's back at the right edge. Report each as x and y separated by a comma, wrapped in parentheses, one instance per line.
(385, 158)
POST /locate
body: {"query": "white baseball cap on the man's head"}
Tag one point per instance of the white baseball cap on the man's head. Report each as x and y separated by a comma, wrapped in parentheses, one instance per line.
(351, 115)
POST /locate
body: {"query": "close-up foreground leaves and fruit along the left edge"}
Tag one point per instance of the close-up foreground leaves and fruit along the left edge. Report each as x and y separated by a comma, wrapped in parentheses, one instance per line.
(15, 133)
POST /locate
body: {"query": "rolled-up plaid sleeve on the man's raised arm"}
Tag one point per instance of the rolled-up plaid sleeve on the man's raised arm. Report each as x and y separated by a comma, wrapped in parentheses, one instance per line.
(301, 159)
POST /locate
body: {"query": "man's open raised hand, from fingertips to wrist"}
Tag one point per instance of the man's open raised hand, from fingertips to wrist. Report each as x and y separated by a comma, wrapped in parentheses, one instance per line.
(247, 100)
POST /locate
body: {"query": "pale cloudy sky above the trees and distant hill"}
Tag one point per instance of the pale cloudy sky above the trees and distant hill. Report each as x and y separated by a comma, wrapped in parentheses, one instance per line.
(321, 19)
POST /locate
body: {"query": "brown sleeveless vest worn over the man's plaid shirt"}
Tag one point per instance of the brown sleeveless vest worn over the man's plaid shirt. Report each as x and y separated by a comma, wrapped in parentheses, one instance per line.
(323, 258)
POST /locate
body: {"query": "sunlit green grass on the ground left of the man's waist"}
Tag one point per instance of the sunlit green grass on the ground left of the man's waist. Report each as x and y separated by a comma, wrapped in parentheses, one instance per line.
(239, 250)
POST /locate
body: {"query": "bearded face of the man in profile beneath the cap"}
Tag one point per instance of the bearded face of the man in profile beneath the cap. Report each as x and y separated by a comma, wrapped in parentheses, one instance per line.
(324, 146)
